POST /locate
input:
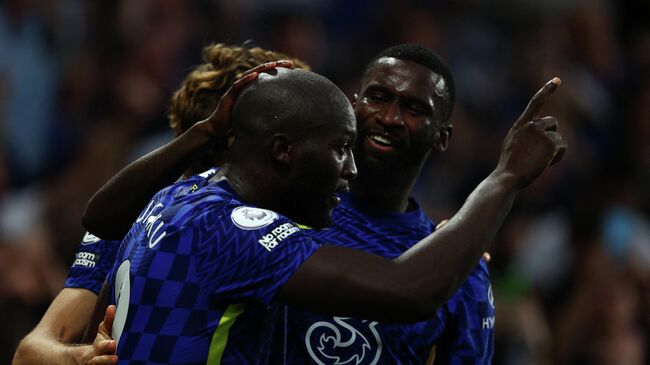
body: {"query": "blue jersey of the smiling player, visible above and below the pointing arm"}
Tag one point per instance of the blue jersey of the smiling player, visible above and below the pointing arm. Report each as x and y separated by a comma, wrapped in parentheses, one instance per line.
(319, 339)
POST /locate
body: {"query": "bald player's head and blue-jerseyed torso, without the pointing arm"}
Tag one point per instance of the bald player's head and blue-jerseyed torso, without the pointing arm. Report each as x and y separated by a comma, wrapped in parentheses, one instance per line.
(201, 275)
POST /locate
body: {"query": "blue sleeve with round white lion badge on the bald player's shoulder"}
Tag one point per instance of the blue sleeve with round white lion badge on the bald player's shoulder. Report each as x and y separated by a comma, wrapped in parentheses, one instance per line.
(250, 254)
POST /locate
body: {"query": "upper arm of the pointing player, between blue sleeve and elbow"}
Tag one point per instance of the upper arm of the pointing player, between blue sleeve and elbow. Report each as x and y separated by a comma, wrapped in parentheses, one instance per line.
(346, 282)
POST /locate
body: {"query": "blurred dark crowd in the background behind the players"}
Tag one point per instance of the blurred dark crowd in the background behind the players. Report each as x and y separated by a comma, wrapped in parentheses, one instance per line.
(84, 87)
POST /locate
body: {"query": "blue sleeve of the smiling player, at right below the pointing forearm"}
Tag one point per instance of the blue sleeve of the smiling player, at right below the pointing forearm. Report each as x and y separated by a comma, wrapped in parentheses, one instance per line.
(468, 337)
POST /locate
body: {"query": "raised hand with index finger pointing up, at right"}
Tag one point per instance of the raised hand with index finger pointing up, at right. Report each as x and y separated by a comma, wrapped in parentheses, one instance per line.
(533, 143)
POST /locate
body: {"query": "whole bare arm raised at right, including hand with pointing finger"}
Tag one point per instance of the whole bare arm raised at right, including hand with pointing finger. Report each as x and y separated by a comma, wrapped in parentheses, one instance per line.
(411, 287)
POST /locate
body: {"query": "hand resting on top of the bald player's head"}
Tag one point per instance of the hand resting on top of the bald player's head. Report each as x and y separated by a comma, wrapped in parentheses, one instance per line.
(219, 121)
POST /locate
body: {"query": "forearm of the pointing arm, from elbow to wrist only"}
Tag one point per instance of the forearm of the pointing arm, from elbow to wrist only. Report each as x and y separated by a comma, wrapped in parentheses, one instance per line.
(439, 263)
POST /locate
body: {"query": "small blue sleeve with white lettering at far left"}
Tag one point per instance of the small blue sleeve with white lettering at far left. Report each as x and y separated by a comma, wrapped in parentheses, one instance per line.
(94, 258)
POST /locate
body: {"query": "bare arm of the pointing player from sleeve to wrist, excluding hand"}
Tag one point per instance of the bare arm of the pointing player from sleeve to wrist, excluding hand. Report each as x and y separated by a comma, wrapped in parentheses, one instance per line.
(347, 282)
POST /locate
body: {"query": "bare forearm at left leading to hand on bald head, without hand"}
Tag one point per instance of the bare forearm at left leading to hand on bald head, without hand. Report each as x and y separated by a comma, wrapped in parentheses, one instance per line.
(116, 205)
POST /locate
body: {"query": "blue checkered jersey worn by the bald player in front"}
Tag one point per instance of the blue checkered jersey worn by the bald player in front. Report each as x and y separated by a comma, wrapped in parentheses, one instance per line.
(196, 277)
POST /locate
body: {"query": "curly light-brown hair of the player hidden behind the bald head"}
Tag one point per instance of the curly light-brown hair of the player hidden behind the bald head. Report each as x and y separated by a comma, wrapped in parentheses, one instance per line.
(202, 88)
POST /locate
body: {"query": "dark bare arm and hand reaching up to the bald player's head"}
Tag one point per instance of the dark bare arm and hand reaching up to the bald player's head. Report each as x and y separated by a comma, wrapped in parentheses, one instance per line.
(115, 206)
